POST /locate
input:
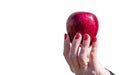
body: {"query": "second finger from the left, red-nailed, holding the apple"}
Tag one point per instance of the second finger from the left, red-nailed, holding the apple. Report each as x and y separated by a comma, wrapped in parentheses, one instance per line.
(74, 50)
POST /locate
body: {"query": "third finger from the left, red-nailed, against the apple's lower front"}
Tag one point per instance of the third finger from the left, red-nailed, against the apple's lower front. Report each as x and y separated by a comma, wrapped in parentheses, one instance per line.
(83, 55)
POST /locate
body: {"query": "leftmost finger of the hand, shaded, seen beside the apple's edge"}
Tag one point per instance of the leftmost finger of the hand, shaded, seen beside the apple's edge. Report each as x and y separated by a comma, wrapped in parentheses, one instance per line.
(67, 50)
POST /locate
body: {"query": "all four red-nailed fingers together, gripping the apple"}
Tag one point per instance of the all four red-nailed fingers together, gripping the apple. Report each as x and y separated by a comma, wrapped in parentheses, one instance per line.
(78, 61)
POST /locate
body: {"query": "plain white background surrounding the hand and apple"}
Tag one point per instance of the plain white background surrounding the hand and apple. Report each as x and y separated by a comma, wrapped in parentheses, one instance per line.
(32, 34)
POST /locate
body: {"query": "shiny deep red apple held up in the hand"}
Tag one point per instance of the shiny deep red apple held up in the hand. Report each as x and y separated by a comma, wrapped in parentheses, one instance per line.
(82, 22)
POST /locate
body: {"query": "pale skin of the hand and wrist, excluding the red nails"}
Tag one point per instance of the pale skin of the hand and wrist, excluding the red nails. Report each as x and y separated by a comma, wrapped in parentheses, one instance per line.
(82, 59)
